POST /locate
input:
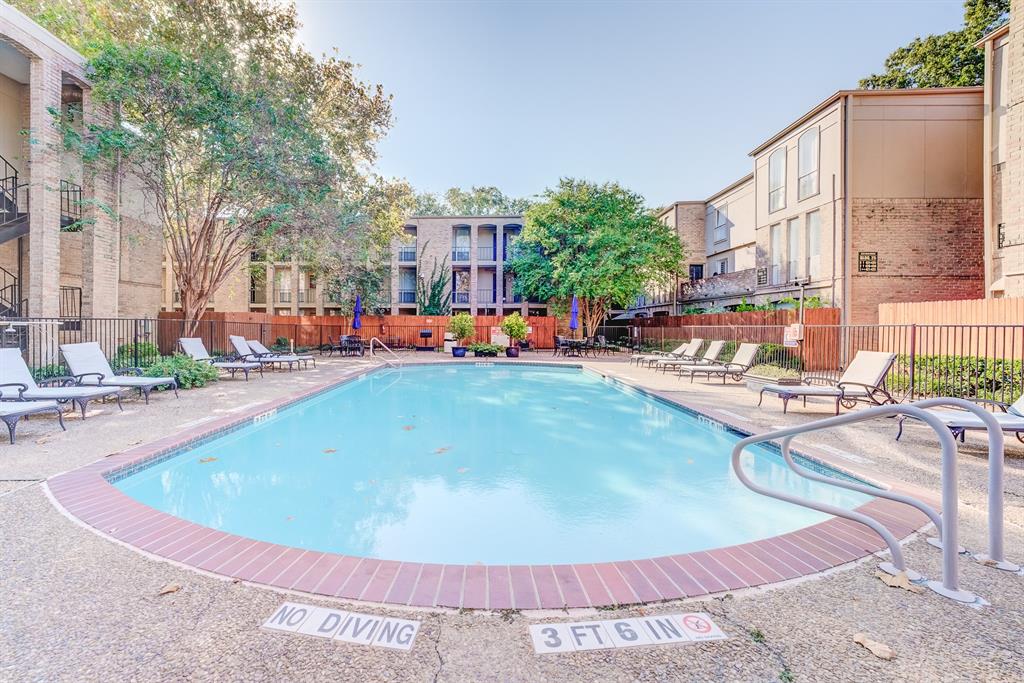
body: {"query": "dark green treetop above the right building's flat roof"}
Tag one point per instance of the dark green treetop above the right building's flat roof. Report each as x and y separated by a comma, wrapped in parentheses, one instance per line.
(950, 60)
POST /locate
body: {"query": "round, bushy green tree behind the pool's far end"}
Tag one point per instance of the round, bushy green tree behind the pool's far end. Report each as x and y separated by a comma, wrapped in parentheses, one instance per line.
(598, 242)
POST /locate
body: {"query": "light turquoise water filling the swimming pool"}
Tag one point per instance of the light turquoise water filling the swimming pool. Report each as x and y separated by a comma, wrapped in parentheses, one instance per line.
(499, 465)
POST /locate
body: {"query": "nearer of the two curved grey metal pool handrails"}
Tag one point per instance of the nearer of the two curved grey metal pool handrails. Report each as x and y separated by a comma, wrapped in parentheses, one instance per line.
(950, 584)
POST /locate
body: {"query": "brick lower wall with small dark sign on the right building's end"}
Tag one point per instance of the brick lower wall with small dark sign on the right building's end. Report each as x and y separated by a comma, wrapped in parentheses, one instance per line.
(928, 250)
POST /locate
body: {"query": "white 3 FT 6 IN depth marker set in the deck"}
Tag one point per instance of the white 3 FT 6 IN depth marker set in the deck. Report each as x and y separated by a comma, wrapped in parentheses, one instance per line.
(657, 630)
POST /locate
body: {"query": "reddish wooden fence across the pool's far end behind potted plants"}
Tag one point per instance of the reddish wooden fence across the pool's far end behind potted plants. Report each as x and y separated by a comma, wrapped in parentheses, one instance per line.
(315, 331)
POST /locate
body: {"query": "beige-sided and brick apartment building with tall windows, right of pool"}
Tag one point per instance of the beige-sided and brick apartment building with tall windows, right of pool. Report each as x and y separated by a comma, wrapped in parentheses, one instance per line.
(872, 197)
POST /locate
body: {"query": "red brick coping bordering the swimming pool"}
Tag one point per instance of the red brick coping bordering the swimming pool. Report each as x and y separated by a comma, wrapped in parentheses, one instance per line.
(89, 495)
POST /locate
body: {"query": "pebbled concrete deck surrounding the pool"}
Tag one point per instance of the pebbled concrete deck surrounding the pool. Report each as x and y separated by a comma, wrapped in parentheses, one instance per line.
(80, 607)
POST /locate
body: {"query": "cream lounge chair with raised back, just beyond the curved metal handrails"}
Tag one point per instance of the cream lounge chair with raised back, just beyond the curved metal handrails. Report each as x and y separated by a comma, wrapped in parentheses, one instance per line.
(864, 380)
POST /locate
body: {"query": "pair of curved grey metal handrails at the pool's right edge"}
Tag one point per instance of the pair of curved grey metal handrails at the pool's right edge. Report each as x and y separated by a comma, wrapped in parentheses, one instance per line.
(947, 524)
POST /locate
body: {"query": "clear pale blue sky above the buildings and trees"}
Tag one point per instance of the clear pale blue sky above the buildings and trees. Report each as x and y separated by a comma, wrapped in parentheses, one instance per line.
(666, 98)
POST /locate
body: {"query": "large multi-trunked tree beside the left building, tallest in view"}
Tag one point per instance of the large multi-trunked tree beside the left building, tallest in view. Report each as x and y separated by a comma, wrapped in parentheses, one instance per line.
(241, 137)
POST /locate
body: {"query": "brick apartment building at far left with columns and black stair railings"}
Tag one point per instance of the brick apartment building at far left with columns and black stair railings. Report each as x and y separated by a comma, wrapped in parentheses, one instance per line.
(109, 268)
